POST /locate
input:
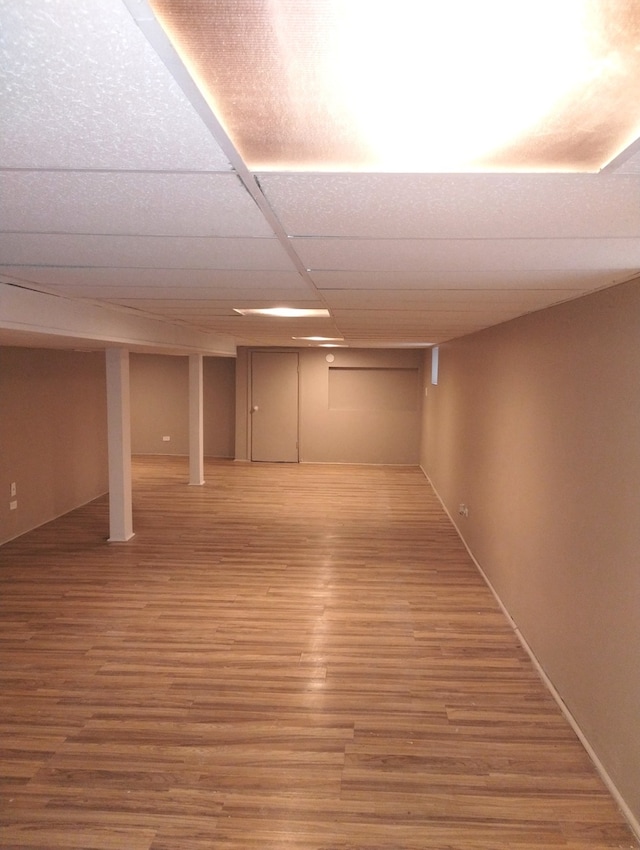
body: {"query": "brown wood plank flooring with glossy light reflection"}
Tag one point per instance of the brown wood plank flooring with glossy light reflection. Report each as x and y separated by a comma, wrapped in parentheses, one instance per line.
(297, 657)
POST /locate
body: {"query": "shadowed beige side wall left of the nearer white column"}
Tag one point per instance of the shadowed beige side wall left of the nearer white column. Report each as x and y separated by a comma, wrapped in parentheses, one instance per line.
(53, 434)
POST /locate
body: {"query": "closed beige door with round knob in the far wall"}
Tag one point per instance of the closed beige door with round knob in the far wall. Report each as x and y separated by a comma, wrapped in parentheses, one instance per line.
(274, 406)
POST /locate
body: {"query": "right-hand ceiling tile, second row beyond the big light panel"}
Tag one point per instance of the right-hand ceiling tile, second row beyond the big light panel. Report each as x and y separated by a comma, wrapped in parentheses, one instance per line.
(468, 255)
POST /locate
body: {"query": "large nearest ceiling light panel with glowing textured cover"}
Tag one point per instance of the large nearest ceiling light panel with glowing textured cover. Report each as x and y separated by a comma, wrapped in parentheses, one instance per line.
(355, 85)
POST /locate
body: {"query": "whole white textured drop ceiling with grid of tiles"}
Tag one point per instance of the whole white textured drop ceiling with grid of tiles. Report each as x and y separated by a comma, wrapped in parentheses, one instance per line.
(121, 184)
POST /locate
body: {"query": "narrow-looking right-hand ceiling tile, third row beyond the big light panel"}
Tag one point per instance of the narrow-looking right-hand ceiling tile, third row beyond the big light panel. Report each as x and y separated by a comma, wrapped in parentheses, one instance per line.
(577, 279)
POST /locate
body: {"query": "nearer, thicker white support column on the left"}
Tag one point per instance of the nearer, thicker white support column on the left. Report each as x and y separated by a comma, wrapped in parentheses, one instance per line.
(119, 442)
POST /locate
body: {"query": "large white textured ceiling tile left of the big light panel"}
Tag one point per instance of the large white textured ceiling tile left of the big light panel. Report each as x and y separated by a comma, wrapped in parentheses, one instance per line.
(82, 88)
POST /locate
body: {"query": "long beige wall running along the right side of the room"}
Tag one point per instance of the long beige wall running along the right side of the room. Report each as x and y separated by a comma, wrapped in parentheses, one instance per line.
(535, 426)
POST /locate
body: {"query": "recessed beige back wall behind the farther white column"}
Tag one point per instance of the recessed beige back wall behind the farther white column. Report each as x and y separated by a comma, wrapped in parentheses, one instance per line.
(160, 405)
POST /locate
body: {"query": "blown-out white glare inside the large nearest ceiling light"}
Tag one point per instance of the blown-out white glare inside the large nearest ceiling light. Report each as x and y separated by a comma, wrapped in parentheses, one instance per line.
(461, 83)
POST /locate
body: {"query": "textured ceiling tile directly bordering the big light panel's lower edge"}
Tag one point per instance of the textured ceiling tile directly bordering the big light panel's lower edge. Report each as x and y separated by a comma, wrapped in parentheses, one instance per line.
(414, 206)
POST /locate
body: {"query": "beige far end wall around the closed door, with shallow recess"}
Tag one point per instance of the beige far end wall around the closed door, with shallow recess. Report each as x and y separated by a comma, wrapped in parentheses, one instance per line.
(364, 407)
